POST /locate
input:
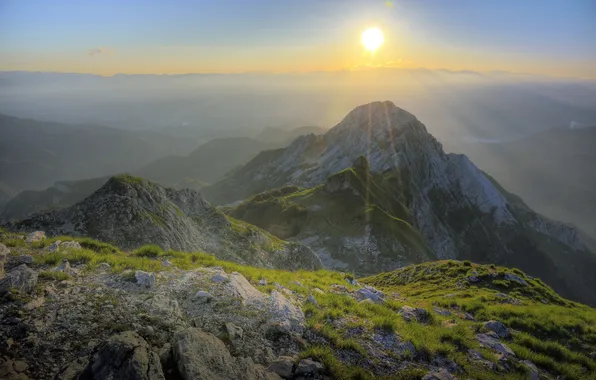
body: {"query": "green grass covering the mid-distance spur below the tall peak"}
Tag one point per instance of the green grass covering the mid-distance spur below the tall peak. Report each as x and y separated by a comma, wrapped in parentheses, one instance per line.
(293, 212)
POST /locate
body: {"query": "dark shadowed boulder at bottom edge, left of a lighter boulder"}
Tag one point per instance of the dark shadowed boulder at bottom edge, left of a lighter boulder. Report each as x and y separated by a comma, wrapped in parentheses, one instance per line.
(124, 356)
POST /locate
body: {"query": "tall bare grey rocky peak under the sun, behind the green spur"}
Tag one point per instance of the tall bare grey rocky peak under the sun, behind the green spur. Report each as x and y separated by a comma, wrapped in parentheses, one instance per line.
(459, 211)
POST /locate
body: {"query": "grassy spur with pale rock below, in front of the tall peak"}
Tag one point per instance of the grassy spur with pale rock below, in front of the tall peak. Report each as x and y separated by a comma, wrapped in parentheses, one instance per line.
(353, 221)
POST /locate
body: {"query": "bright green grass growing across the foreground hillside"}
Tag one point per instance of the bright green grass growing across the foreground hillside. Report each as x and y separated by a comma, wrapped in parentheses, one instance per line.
(558, 336)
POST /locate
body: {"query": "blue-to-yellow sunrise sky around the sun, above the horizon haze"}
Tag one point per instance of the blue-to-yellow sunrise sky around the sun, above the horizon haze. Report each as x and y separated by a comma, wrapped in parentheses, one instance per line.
(181, 36)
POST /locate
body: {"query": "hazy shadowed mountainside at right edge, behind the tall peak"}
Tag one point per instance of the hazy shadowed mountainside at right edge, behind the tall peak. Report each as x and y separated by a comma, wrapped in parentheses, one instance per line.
(552, 171)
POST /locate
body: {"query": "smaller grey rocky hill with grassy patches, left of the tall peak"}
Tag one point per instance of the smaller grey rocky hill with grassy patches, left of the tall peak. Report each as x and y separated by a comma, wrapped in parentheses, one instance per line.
(131, 212)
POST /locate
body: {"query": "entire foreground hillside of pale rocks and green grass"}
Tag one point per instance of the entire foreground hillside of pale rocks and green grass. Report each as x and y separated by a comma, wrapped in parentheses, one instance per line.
(83, 309)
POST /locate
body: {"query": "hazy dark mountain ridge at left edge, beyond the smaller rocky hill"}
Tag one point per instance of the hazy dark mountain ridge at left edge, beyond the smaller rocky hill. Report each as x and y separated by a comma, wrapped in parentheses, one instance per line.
(35, 154)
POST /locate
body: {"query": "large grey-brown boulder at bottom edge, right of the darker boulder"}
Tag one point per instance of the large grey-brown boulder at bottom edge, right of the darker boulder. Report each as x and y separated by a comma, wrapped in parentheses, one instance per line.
(200, 355)
